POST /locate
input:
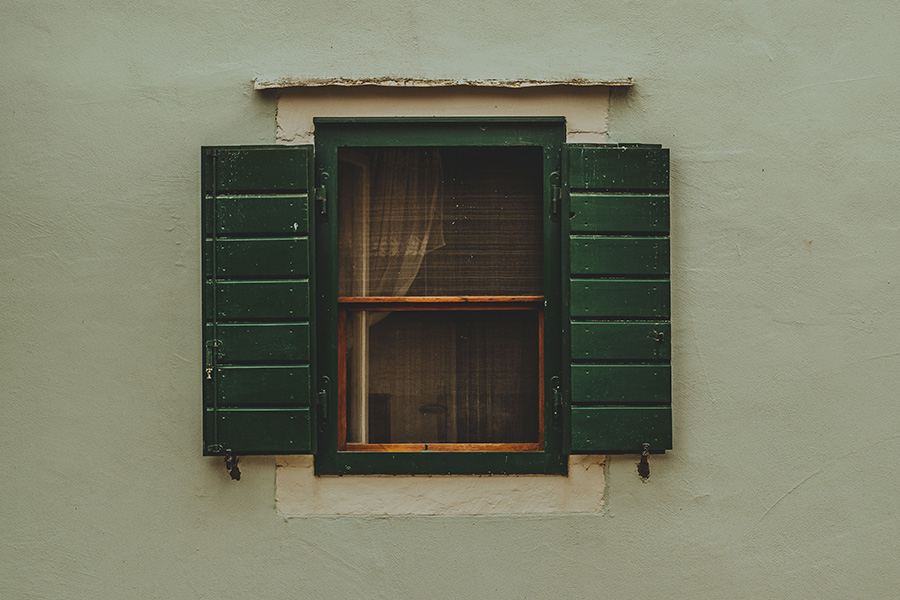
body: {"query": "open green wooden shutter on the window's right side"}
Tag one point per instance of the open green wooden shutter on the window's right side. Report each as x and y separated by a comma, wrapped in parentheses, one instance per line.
(617, 264)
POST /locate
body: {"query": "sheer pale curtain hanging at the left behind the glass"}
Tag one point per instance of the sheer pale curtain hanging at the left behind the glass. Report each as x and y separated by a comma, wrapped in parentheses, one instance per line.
(389, 218)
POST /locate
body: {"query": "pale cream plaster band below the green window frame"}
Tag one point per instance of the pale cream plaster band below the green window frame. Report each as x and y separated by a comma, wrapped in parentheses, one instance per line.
(299, 492)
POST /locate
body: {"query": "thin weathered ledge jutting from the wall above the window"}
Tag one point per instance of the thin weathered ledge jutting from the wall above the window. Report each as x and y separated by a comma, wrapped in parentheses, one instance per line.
(260, 83)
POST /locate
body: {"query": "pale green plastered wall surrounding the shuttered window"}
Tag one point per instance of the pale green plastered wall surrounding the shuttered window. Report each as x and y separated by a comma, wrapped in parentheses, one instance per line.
(782, 121)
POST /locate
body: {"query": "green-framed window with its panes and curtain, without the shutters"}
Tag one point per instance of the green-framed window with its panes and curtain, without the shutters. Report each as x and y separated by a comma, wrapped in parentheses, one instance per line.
(441, 233)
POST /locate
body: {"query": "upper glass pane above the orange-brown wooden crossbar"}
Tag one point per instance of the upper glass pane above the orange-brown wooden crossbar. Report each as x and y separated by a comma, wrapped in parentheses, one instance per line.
(445, 221)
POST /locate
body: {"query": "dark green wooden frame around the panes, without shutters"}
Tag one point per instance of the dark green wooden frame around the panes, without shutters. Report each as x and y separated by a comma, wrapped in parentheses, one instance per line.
(548, 134)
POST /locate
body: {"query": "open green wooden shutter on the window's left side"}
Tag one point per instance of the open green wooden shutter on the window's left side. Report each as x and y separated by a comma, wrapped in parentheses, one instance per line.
(257, 300)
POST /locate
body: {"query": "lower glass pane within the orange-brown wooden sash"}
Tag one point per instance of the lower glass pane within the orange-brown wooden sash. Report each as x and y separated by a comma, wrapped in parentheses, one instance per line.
(443, 377)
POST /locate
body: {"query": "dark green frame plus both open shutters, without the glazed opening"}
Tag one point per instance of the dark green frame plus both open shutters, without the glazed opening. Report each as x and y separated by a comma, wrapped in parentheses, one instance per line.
(270, 297)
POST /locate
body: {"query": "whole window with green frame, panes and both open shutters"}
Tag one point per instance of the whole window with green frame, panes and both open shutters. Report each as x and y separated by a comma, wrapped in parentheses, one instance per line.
(436, 296)
